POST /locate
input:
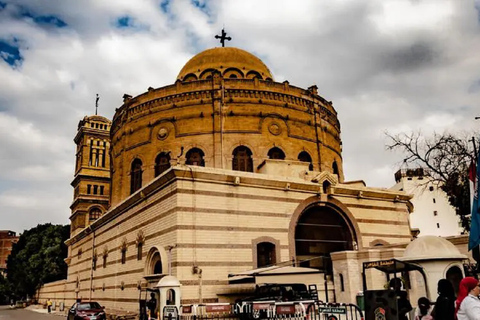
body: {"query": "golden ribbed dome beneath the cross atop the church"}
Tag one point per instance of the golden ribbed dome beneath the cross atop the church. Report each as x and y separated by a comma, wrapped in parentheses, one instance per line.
(230, 62)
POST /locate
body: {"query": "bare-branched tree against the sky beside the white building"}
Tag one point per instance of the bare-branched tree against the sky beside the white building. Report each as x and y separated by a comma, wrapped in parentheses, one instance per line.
(447, 158)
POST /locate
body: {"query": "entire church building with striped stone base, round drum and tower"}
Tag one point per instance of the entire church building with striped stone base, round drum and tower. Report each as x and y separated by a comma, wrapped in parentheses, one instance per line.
(221, 172)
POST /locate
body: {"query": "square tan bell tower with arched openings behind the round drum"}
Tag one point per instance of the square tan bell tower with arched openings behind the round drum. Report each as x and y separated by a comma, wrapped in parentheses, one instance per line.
(91, 195)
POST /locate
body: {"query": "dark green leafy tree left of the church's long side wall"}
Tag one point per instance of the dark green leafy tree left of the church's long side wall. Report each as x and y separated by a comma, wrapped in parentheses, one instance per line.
(38, 258)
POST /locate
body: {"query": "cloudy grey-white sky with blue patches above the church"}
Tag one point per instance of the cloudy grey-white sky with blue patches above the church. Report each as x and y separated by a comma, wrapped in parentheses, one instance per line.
(396, 65)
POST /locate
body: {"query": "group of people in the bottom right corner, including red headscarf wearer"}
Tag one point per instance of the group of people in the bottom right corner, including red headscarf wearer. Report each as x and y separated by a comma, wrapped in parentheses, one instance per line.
(466, 306)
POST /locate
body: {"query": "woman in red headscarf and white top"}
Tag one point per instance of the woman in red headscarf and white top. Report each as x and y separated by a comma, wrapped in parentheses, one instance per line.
(468, 304)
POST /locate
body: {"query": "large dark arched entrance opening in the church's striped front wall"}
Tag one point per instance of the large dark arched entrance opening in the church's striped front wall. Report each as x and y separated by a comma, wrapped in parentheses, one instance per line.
(319, 231)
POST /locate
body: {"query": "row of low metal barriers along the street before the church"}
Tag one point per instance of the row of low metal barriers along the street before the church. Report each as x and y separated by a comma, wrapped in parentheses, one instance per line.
(292, 310)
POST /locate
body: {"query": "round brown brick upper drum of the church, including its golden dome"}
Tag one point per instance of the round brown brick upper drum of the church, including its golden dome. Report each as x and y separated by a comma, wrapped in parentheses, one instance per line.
(240, 103)
